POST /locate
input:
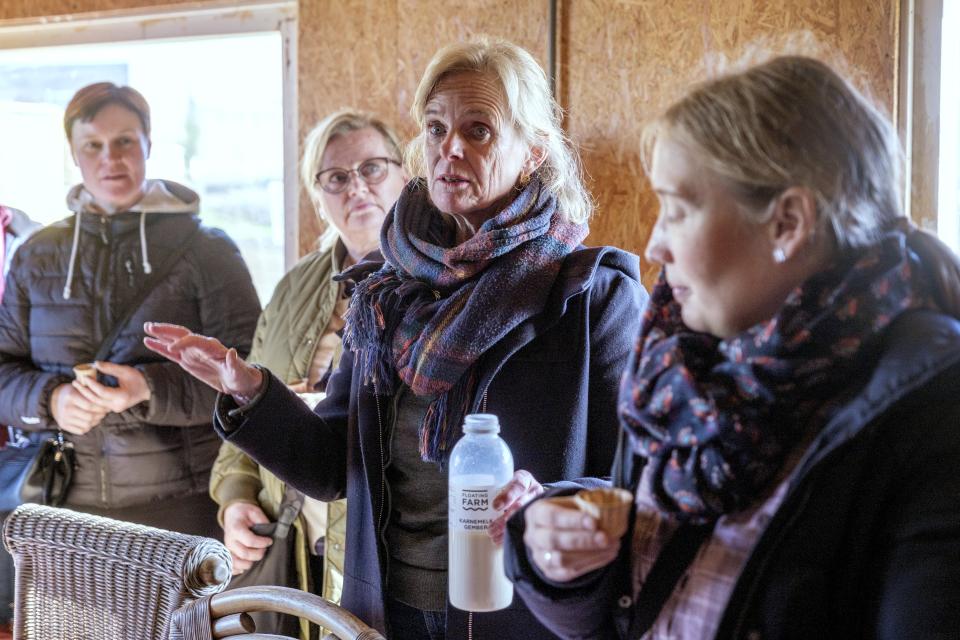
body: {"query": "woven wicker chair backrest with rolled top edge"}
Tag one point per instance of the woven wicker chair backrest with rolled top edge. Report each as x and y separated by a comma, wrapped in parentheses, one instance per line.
(85, 577)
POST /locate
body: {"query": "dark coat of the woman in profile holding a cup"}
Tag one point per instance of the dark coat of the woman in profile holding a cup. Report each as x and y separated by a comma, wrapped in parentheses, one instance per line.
(866, 543)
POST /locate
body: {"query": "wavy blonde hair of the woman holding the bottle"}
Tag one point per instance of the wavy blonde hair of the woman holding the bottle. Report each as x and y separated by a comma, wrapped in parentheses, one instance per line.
(532, 110)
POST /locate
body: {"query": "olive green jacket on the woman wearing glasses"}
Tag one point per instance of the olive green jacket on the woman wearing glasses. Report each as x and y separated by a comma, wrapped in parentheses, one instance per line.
(285, 340)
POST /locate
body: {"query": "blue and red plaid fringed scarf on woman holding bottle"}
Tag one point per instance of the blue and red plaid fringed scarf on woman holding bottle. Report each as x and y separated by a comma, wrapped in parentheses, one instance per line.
(440, 301)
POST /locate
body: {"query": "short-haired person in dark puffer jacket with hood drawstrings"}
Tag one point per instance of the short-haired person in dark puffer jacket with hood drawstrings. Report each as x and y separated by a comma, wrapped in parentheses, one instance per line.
(145, 446)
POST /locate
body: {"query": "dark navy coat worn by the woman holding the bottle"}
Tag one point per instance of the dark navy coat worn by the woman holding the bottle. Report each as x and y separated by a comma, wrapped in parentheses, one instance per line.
(552, 381)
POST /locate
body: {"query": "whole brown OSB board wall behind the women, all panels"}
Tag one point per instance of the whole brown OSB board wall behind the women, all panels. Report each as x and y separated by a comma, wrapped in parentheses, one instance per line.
(620, 61)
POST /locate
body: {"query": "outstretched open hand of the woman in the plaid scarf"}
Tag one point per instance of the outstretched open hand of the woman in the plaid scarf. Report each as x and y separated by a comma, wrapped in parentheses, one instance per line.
(204, 358)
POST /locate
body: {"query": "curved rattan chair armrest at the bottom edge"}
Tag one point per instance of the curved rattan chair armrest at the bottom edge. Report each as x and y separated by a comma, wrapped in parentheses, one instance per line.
(226, 615)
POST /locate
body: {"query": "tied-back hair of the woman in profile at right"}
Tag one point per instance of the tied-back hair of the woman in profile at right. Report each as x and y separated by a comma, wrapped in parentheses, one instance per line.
(793, 121)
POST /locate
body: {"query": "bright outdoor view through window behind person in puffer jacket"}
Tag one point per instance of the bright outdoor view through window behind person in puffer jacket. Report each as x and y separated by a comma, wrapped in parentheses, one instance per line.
(217, 126)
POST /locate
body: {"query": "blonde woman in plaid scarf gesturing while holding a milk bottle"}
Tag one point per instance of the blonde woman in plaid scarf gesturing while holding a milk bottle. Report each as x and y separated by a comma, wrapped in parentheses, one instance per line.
(486, 302)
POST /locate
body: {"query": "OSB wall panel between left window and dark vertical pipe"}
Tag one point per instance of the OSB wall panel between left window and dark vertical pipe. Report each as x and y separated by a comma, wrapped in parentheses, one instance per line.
(370, 54)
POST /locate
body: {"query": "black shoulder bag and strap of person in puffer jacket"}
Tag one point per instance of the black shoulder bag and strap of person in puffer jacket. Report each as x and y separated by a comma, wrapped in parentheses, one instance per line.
(38, 467)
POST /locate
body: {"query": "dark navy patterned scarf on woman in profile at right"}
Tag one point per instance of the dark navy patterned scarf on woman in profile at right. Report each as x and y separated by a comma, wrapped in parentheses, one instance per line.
(716, 418)
